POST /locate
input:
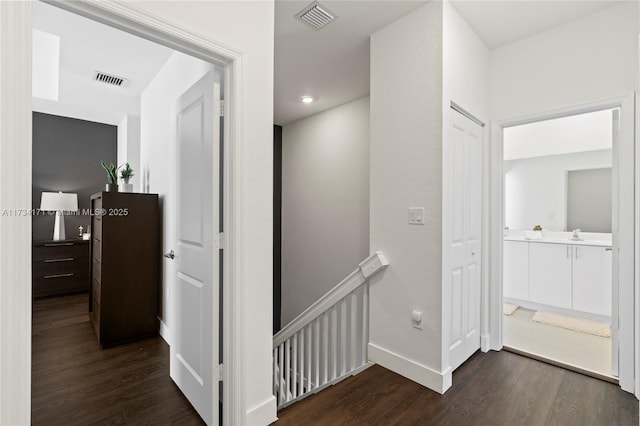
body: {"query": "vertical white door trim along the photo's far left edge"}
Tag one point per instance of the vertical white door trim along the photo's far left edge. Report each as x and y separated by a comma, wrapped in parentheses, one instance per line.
(15, 231)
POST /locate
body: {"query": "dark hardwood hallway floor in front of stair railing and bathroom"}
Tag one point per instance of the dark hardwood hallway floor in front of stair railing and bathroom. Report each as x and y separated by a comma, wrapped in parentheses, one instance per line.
(497, 388)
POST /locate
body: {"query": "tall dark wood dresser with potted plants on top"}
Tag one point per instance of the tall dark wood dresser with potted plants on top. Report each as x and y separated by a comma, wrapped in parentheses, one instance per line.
(125, 263)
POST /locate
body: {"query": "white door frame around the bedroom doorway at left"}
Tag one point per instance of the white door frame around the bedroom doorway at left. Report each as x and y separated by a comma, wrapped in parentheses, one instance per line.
(15, 191)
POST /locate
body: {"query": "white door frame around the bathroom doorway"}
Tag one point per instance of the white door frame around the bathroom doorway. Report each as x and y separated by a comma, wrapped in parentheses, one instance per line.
(627, 238)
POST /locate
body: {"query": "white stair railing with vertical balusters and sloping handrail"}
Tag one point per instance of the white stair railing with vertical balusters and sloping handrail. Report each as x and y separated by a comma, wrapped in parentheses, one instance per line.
(328, 341)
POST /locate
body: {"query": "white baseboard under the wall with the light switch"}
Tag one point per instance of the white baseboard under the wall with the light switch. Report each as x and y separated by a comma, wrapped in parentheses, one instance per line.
(419, 373)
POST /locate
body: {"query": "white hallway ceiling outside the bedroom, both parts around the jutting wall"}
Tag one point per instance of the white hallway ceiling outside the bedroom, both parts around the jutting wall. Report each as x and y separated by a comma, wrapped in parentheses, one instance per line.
(333, 64)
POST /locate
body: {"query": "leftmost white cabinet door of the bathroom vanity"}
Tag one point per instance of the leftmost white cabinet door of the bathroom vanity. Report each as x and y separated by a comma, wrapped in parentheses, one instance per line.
(516, 270)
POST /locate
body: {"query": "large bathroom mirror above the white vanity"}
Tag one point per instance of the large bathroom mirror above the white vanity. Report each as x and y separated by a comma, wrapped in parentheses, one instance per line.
(557, 174)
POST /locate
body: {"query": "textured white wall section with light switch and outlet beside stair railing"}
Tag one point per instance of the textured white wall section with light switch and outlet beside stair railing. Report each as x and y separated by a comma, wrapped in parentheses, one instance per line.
(406, 171)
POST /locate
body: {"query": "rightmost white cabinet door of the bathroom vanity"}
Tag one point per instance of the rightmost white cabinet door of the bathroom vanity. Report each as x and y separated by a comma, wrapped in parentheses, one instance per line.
(592, 279)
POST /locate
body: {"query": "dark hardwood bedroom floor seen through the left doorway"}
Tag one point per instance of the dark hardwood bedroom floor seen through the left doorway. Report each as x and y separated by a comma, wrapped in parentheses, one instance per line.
(76, 382)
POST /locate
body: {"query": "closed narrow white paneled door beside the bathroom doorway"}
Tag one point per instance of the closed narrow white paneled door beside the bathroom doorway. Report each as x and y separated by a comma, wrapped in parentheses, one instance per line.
(465, 245)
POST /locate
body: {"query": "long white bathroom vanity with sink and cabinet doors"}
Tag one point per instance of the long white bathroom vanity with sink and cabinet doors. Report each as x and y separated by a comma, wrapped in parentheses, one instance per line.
(559, 273)
